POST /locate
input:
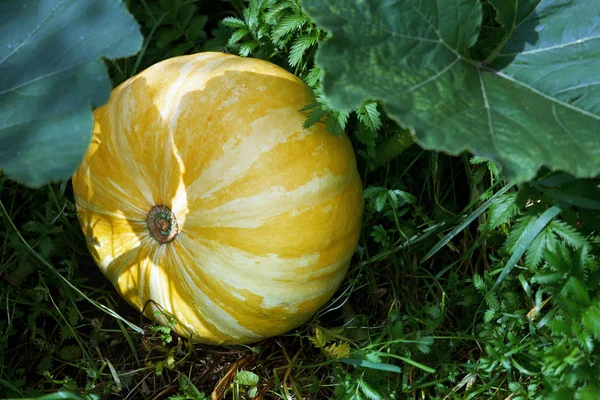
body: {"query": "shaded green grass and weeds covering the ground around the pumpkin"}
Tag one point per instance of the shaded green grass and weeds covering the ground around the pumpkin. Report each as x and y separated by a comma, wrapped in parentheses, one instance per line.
(462, 287)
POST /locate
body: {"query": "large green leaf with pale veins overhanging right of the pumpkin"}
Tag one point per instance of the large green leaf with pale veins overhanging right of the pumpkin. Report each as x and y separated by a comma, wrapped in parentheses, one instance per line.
(536, 103)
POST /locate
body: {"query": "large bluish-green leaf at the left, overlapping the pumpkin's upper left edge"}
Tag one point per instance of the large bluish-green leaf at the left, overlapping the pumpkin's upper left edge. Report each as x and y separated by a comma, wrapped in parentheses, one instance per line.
(51, 75)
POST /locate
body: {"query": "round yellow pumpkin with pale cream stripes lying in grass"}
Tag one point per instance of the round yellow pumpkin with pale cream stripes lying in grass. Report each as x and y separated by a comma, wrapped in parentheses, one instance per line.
(201, 195)
